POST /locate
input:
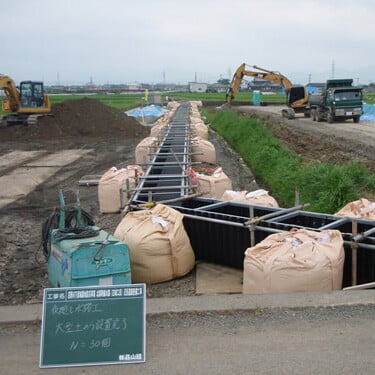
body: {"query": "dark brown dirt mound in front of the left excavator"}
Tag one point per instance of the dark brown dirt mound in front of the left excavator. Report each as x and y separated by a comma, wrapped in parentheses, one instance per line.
(86, 117)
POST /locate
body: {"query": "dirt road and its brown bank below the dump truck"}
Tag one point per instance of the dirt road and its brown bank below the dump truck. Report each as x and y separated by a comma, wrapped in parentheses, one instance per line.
(320, 141)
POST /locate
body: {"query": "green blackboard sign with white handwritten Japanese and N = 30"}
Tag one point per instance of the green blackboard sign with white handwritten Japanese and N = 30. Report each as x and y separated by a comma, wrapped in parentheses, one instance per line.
(93, 326)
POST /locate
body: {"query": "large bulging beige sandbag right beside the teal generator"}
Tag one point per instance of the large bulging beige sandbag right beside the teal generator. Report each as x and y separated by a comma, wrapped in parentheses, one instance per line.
(159, 247)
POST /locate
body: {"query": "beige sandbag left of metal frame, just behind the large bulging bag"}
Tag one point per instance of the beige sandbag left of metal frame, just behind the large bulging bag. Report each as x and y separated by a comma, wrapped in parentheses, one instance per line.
(110, 185)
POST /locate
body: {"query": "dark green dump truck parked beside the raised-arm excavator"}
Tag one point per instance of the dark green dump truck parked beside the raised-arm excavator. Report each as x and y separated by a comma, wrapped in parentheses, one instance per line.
(338, 101)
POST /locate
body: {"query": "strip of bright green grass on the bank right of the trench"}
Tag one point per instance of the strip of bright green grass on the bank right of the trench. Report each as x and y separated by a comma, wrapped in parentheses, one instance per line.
(326, 186)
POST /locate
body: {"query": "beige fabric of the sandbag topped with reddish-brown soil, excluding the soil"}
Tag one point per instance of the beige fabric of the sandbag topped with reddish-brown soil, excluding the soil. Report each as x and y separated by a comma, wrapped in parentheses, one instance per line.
(213, 185)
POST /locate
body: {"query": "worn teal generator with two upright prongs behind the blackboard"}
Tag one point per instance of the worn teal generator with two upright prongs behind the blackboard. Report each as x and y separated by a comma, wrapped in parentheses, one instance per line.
(85, 255)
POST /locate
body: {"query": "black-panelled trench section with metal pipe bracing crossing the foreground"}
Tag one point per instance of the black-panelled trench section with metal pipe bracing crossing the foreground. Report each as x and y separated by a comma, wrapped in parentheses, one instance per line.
(223, 243)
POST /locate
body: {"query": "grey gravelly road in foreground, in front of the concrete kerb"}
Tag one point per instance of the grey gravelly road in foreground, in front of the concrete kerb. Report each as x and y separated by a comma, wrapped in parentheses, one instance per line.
(310, 341)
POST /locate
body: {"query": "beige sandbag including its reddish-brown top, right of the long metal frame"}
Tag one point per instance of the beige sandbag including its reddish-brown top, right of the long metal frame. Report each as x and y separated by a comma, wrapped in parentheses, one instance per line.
(212, 181)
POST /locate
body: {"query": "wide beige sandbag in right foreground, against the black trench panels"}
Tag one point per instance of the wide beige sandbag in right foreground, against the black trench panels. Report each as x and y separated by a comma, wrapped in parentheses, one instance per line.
(295, 261)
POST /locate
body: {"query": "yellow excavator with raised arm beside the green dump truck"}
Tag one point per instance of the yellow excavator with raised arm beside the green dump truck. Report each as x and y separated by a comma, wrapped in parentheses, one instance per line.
(297, 96)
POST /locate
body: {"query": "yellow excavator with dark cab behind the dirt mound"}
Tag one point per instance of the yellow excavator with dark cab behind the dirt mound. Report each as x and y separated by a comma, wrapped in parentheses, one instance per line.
(25, 104)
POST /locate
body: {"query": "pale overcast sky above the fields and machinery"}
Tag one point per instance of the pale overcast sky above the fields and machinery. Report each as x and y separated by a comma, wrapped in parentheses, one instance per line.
(151, 41)
